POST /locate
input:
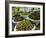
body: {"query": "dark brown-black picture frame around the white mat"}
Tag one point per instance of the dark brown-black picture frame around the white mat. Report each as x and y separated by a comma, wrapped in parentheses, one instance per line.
(7, 18)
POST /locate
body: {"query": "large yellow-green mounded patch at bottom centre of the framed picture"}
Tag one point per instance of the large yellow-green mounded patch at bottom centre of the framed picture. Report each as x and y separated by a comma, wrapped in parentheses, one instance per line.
(24, 25)
